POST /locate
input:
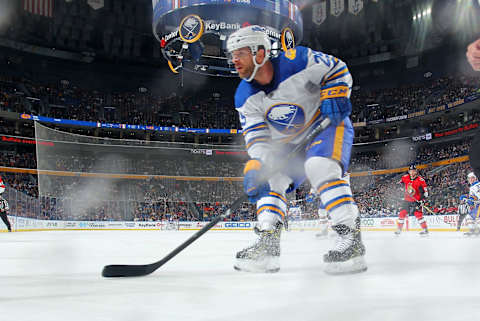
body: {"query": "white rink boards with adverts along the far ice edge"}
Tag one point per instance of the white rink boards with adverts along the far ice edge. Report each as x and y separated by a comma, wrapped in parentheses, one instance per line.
(442, 223)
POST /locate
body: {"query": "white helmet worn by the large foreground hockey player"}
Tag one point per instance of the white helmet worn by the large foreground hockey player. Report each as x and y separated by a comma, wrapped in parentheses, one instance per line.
(253, 37)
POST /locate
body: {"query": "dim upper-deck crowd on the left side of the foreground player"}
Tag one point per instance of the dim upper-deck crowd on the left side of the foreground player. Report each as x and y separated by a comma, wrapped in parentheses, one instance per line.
(66, 101)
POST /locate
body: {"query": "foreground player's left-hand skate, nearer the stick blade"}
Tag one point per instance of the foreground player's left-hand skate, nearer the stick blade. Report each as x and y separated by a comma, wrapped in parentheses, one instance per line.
(263, 255)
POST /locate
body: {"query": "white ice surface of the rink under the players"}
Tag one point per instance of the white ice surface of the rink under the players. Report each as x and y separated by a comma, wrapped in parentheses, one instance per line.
(56, 276)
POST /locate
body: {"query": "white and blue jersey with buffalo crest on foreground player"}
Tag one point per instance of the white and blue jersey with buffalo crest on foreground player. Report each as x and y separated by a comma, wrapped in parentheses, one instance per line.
(283, 110)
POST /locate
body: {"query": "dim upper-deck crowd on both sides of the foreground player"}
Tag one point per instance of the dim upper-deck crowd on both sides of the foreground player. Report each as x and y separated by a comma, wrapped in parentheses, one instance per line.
(66, 100)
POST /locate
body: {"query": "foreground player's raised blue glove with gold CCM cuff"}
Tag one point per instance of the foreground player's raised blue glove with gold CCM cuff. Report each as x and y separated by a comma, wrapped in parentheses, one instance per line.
(335, 102)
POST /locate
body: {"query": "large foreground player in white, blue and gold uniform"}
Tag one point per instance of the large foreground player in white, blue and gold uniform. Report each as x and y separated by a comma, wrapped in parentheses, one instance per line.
(279, 101)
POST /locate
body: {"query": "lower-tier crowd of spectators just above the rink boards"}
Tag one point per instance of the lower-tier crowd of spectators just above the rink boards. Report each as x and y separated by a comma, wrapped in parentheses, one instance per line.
(177, 198)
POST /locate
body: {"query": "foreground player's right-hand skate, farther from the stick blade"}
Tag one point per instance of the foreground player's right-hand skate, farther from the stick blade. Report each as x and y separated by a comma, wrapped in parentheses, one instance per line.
(348, 254)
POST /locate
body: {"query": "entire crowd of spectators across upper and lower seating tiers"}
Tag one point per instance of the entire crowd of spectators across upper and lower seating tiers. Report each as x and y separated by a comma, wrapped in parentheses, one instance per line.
(194, 198)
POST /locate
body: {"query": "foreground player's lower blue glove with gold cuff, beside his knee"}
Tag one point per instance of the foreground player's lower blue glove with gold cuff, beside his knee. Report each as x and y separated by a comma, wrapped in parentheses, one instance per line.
(253, 187)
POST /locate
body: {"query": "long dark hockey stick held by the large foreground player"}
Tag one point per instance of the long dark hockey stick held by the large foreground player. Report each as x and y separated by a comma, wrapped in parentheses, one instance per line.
(145, 269)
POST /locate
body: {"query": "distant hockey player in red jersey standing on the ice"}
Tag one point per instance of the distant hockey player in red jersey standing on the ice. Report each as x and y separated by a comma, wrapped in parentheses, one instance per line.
(415, 192)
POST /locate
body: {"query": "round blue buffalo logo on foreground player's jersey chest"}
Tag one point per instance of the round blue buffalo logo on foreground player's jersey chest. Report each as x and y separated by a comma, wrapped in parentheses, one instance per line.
(286, 118)
